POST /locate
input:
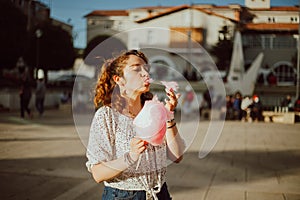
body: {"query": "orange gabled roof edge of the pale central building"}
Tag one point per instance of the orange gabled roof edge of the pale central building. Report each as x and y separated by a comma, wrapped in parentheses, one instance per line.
(179, 8)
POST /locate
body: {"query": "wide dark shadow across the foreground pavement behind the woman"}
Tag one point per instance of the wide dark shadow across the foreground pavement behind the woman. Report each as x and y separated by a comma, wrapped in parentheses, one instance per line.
(46, 178)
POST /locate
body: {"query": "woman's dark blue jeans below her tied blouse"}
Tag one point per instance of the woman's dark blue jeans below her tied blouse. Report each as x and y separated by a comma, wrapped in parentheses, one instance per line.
(110, 193)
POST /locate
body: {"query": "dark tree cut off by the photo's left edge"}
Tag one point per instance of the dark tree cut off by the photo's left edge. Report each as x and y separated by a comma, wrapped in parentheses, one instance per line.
(13, 34)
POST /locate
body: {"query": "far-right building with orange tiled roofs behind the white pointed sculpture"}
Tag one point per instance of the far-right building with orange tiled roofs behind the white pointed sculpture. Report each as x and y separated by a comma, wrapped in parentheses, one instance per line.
(273, 31)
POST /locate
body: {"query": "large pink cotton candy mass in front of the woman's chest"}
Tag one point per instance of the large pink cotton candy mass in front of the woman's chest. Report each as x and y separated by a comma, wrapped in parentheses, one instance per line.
(150, 123)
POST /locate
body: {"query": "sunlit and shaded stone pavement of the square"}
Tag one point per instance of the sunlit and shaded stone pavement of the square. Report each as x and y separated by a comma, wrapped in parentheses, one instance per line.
(43, 158)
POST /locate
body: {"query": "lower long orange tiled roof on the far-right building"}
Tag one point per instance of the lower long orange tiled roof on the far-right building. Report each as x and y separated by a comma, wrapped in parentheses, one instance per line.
(272, 26)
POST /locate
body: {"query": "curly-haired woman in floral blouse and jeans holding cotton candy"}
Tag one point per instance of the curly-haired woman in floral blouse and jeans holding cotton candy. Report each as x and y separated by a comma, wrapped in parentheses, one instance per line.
(113, 150)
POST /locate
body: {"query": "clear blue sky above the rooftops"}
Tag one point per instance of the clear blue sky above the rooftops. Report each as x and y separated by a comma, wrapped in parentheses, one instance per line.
(73, 11)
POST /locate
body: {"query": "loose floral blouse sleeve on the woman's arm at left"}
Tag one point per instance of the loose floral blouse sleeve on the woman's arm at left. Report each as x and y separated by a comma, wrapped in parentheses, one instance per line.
(101, 138)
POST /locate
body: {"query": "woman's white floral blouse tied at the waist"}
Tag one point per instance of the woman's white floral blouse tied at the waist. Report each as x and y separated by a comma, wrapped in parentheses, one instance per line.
(110, 136)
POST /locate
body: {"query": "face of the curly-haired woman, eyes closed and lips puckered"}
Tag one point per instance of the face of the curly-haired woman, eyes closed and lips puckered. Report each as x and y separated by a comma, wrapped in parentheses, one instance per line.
(136, 76)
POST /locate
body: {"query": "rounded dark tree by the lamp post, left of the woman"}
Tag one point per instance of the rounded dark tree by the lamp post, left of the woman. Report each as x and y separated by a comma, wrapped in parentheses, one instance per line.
(52, 50)
